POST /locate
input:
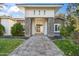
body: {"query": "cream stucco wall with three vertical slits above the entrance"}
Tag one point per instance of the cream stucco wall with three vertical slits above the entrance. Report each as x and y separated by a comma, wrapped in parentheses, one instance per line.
(34, 12)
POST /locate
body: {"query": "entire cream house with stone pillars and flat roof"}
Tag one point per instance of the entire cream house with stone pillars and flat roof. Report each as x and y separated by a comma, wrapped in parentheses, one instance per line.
(38, 18)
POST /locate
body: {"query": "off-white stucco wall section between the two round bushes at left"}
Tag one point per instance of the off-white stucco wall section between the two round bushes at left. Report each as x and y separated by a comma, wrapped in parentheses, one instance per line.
(7, 23)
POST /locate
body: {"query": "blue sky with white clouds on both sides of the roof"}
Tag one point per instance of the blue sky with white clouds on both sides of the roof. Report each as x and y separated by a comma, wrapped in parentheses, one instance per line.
(12, 10)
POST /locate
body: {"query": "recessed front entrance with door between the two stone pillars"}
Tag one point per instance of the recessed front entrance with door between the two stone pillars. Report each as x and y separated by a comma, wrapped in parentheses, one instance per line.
(39, 26)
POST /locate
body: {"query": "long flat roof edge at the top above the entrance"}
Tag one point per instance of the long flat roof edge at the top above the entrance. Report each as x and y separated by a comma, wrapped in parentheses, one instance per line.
(39, 4)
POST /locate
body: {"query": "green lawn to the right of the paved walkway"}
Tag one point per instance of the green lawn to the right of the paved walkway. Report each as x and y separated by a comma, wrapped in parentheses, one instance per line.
(68, 47)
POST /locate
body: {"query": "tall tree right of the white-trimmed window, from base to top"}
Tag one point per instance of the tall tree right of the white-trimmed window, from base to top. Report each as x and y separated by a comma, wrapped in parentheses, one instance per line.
(68, 29)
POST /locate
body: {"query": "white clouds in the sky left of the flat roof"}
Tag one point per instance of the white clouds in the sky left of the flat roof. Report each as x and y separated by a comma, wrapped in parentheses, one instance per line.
(10, 10)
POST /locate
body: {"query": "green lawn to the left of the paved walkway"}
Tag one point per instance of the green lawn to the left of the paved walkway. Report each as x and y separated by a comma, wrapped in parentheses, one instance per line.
(8, 45)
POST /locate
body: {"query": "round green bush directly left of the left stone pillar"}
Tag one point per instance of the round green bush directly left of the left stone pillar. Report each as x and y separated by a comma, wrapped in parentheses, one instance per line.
(17, 30)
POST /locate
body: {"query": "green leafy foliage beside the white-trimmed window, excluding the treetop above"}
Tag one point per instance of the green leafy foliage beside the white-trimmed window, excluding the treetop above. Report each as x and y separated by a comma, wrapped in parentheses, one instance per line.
(68, 29)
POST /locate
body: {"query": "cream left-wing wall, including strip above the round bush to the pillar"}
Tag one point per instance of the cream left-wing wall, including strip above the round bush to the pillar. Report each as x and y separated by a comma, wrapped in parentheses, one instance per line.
(8, 23)
